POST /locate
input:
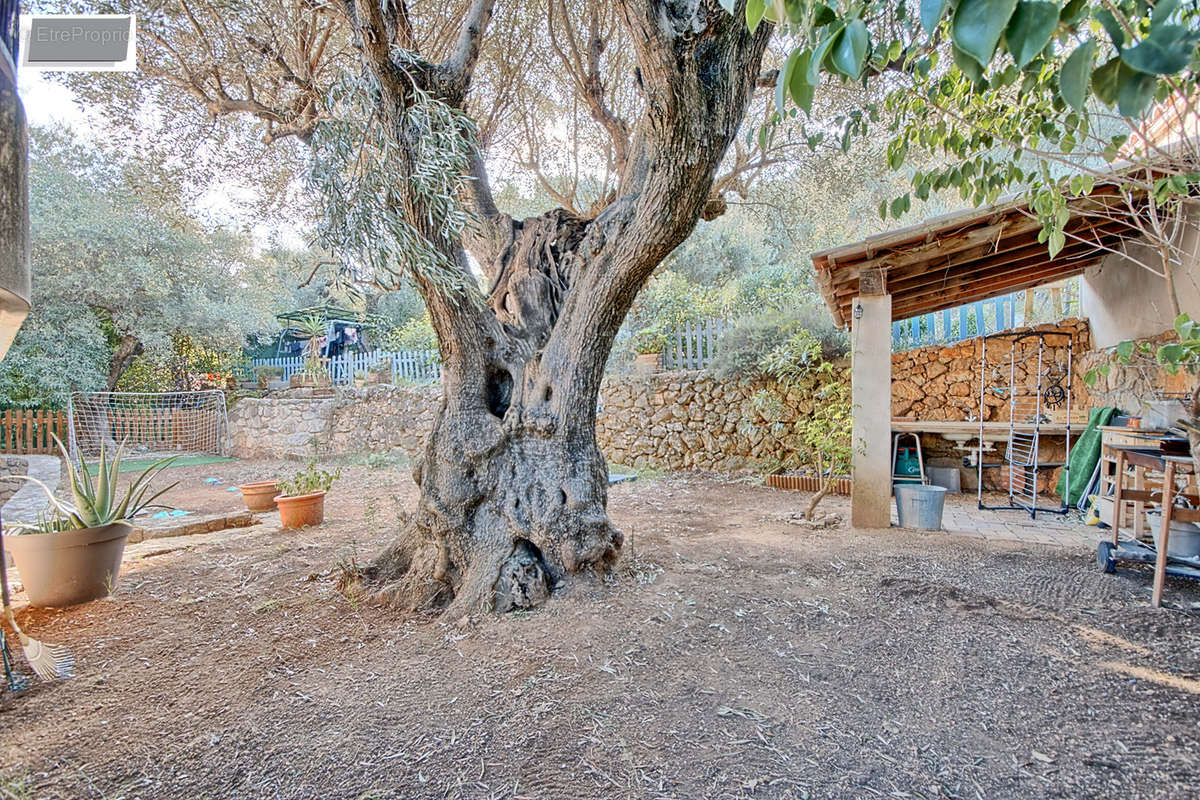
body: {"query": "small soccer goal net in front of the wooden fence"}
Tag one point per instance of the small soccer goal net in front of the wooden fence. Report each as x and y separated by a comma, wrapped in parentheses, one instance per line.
(151, 424)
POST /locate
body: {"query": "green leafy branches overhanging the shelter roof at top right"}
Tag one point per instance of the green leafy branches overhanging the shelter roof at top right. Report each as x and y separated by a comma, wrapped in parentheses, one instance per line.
(1055, 100)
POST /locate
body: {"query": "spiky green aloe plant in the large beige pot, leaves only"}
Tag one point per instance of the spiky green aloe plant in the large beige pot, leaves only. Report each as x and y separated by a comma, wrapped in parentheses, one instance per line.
(99, 503)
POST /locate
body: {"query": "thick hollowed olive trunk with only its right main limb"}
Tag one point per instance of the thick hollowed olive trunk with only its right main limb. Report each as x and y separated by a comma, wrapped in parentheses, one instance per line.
(513, 485)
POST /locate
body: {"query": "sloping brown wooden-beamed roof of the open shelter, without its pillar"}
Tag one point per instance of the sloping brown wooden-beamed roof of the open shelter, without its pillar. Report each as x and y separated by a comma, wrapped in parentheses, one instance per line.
(969, 256)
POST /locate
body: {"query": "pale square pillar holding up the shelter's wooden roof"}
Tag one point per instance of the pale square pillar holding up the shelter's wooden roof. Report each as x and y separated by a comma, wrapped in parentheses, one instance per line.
(871, 504)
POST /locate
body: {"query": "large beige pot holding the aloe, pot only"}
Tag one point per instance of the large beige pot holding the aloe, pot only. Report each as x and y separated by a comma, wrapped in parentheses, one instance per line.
(69, 568)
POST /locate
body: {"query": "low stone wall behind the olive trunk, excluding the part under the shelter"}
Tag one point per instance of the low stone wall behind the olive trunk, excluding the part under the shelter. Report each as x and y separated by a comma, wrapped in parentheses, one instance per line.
(677, 420)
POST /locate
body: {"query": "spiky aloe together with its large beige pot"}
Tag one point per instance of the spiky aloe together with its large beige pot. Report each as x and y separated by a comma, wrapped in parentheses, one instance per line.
(74, 555)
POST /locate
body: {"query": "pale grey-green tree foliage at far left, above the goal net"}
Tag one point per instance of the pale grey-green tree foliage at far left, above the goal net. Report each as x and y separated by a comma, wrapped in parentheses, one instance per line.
(117, 278)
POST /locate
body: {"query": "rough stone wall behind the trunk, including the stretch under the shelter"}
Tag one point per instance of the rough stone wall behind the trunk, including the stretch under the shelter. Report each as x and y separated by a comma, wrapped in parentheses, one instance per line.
(676, 420)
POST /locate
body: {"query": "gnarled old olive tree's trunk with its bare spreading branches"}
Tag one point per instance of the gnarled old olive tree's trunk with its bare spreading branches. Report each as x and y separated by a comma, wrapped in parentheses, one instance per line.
(513, 485)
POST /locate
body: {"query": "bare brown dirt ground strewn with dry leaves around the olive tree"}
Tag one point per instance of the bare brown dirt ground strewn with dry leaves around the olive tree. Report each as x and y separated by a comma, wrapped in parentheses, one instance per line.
(734, 655)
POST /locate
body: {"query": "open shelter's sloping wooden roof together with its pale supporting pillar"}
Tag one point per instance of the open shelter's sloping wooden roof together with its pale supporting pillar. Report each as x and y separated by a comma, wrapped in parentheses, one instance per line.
(945, 263)
